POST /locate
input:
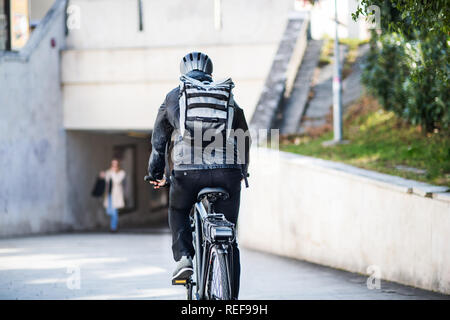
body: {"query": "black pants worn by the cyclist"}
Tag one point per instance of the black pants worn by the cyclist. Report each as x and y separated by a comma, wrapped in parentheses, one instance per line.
(184, 188)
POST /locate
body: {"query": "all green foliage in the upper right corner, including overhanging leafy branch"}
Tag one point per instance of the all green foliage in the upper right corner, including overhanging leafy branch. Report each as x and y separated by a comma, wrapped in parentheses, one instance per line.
(408, 65)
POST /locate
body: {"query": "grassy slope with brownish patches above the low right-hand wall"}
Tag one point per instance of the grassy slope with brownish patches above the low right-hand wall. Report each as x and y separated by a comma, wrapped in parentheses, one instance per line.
(380, 141)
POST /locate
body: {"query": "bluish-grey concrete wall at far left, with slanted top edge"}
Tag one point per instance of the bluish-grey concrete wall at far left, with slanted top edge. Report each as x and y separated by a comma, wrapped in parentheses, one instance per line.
(32, 139)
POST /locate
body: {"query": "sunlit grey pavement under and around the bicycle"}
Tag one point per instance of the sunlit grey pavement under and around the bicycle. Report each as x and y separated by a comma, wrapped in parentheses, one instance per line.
(138, 265)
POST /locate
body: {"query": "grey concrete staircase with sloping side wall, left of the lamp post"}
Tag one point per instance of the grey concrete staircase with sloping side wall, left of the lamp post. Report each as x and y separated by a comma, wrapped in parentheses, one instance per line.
(298, 95)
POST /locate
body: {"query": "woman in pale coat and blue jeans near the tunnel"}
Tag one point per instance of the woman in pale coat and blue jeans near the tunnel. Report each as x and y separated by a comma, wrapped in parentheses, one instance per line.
(114, 195)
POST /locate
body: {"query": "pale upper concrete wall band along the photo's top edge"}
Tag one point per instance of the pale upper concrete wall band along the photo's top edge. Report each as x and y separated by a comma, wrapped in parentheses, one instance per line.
(176, 23)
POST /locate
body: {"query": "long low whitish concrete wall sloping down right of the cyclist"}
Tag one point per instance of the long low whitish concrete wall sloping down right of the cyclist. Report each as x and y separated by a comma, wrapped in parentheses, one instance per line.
(347, 218)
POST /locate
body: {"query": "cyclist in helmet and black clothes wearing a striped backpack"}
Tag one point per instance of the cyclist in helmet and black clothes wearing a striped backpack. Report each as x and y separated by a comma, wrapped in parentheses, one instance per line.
(213, 166)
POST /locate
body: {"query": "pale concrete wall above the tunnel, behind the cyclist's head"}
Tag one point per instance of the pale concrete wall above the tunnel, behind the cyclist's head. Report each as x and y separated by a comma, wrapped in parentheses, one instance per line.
(123, 89)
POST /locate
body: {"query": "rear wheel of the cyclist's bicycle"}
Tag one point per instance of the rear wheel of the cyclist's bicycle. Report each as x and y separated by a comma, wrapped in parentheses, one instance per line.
(218, 286)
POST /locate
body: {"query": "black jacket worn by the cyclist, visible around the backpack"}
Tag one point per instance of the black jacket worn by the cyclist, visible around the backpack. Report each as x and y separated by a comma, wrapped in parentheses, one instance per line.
(167, 121)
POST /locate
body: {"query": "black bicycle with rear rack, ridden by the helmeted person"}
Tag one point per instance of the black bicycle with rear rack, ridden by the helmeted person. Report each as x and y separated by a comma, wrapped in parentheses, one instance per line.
(213, 237)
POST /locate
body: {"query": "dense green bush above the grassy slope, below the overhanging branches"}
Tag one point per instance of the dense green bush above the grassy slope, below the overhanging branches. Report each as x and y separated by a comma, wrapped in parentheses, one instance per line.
(409, 76)
